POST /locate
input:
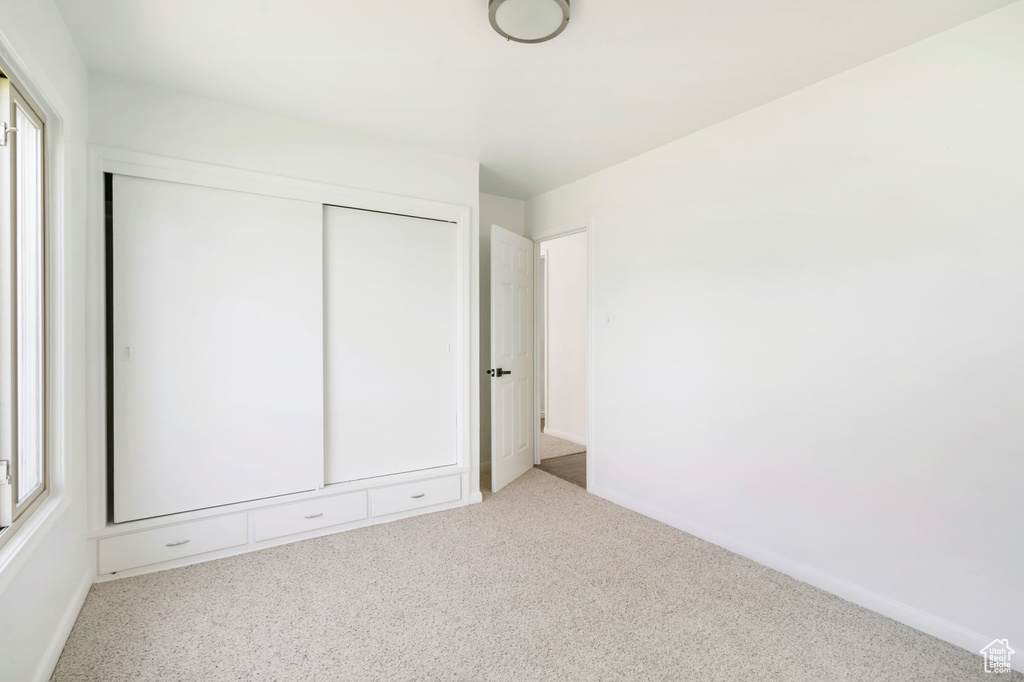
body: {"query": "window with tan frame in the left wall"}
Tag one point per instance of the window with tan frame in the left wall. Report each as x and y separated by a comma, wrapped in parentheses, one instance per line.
(23, 308)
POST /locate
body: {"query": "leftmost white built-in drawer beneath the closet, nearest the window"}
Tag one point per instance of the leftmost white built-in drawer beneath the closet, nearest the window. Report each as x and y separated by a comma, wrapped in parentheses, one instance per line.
(174, 542)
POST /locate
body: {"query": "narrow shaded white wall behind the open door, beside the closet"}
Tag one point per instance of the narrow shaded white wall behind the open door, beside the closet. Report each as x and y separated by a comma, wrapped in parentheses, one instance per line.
(510, 215)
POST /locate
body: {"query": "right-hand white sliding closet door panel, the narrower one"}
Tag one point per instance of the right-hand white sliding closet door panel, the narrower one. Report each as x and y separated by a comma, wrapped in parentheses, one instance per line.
(391, 306)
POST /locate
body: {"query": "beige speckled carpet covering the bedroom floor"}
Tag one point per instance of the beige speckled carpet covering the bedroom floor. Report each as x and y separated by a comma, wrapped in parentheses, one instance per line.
(541, 582)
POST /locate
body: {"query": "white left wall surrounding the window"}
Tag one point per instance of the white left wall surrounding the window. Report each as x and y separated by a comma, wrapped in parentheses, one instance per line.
(42, 585)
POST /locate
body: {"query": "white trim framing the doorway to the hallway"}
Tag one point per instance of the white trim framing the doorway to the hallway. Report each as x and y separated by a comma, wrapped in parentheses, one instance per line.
(583, 226)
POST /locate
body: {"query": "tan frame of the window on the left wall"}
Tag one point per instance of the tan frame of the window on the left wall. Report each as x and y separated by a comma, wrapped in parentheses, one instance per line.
(16, 100)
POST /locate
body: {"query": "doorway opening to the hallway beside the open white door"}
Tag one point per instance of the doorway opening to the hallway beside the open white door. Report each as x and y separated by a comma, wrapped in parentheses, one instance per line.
(562, 356)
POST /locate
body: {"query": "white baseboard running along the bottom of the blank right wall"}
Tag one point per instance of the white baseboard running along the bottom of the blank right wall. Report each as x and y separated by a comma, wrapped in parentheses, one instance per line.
(932, 625)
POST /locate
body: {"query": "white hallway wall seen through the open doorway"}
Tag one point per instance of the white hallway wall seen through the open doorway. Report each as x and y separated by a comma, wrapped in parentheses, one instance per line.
(566, 415)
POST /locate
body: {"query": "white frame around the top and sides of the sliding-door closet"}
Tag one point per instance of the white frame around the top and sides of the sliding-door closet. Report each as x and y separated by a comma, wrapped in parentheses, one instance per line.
(108, 160)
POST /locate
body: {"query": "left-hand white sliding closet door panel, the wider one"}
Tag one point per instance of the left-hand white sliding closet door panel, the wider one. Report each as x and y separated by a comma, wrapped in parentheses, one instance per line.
(219, 356)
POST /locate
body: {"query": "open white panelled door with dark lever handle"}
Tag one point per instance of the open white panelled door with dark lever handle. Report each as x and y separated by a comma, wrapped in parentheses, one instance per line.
(511, 357)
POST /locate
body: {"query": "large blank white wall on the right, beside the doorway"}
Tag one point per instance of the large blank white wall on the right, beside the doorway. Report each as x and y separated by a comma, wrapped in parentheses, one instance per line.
(817, 351)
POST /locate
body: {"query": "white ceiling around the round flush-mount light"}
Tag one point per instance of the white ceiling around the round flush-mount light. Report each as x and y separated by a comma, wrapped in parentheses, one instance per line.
(625, 77)
